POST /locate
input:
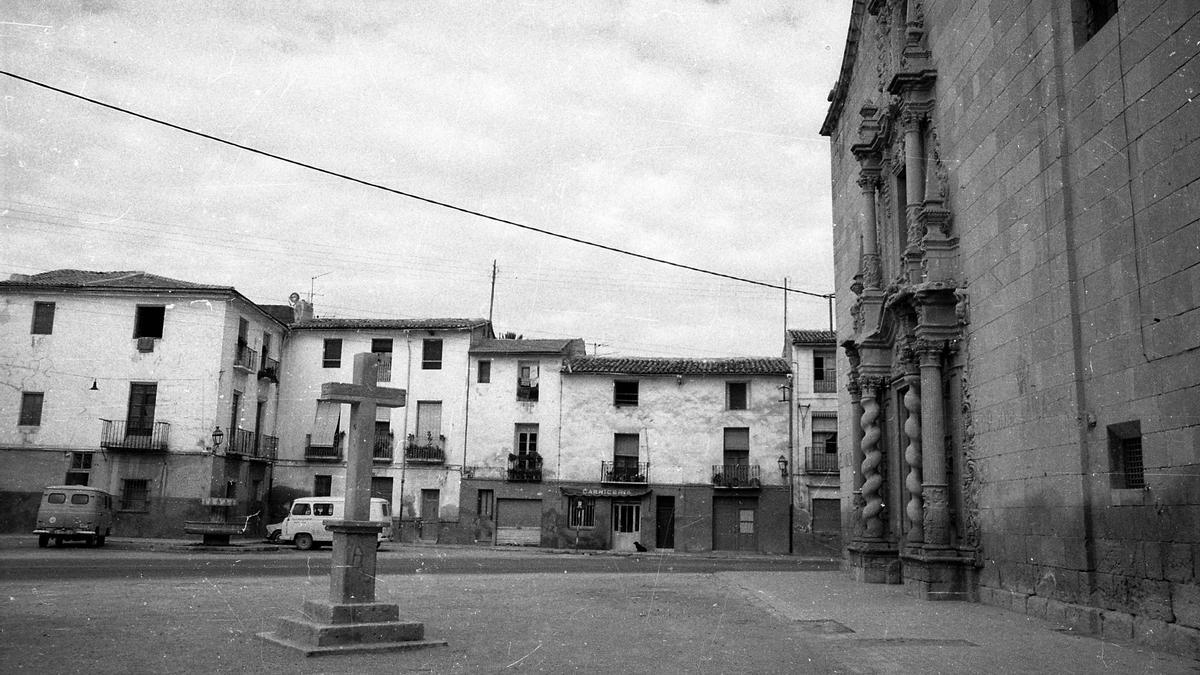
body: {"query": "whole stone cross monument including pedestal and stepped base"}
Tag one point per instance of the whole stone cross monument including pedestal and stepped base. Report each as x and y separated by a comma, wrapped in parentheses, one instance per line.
(352, 622)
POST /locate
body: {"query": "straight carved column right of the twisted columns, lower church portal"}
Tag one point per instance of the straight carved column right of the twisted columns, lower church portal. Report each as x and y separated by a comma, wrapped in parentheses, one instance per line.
(938, 524)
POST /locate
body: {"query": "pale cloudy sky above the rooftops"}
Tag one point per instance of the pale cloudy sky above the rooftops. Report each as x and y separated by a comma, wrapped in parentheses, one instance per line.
(679, 130)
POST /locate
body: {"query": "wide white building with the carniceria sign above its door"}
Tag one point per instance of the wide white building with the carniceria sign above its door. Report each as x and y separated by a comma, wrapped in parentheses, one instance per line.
(677, 455)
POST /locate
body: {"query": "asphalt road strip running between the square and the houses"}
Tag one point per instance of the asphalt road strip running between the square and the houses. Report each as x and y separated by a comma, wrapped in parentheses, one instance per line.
(92, 564)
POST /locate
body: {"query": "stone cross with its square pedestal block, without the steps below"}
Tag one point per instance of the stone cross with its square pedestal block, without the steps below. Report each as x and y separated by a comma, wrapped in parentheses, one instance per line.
(353, 566)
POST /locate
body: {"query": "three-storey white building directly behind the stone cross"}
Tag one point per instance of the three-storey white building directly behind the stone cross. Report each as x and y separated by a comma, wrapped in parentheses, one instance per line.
(419, 449)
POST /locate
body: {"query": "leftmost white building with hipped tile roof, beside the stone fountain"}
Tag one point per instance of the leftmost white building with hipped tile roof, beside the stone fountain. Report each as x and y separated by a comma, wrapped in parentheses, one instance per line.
(118, 380)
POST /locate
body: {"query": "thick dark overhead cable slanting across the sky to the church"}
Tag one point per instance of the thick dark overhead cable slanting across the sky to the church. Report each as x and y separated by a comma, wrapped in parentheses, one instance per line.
(410, 195)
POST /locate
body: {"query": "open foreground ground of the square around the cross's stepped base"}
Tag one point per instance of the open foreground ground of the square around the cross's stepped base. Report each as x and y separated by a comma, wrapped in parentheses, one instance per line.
(725, 623)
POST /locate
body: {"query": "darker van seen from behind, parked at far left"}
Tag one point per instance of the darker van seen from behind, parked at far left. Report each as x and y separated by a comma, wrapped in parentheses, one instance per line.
(74, 512)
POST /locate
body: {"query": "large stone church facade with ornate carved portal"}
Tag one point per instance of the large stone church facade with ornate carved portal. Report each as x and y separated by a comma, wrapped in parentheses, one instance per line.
(1016, 223)
